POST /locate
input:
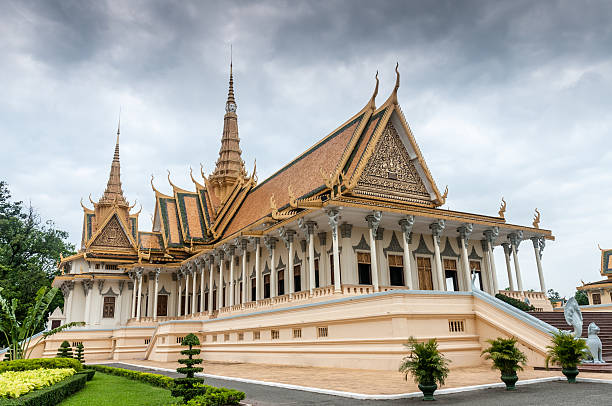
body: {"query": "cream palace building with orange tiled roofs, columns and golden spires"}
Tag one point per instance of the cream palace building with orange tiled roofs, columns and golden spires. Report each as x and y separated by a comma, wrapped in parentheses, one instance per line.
(336, 258)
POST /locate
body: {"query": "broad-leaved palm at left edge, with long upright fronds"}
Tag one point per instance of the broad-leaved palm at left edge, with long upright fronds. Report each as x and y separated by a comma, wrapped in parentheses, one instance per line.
(19, 333)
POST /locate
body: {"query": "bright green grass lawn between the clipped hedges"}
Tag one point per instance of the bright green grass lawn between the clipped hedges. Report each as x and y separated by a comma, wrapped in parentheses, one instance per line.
(106, 389)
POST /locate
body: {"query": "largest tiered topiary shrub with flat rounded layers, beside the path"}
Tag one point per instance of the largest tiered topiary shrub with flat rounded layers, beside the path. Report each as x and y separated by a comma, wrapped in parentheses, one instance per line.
(190, 386)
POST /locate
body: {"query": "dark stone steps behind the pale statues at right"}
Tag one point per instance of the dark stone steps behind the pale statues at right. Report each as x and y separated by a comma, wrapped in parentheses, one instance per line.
(602, 319)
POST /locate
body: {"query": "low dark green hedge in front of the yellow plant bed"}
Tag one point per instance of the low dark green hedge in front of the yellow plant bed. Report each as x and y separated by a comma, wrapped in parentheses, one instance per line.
(51, 395)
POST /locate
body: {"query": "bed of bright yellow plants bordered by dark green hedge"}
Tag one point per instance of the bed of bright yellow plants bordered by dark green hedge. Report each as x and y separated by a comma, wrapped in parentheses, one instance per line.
(13, 384)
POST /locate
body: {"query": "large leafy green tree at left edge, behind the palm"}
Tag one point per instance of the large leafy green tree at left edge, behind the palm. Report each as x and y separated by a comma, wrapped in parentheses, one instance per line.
(30, 249)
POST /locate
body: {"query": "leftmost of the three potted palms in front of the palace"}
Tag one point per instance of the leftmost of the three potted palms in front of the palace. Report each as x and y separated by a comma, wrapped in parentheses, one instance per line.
(426, 364)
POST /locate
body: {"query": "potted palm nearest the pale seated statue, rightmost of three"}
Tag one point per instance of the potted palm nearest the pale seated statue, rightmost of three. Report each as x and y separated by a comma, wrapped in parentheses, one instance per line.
(567, 351)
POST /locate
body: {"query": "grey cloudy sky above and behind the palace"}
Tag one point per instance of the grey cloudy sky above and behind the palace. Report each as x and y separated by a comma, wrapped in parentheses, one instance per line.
(505, 99)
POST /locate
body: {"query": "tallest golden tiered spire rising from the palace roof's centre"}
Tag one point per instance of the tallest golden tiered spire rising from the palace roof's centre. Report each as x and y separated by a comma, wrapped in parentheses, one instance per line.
(230, 166)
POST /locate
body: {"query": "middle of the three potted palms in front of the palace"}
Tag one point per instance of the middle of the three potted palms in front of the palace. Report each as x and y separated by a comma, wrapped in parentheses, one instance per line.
(507, 358)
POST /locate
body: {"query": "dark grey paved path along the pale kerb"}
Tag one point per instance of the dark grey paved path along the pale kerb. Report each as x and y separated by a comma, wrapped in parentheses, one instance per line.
(548, 393)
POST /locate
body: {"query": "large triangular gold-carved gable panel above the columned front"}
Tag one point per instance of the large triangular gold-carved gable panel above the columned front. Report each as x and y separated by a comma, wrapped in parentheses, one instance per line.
(390, 172)
